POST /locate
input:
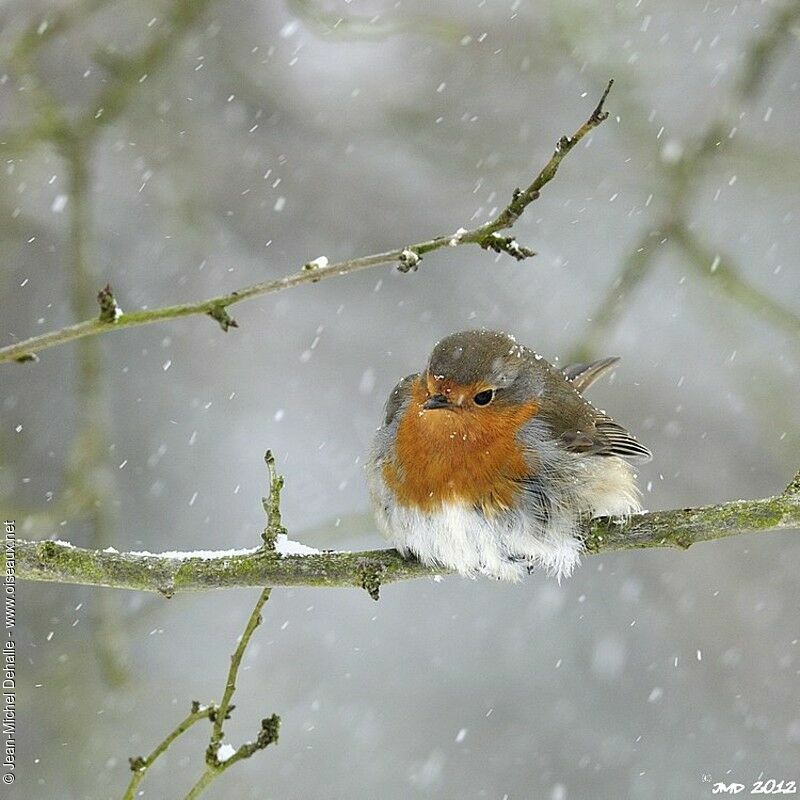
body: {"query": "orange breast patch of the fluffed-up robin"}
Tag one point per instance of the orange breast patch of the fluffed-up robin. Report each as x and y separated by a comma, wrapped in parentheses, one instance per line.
(467, 455)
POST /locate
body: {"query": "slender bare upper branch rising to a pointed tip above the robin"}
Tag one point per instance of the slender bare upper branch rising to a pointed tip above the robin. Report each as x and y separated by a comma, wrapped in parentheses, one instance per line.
(407, 257)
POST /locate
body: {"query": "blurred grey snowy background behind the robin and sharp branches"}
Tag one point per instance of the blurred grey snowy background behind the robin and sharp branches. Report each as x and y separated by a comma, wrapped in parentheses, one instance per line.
(183, 149)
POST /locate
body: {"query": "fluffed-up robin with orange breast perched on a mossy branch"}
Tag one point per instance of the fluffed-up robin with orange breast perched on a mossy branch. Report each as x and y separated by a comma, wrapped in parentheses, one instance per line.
(488, 461)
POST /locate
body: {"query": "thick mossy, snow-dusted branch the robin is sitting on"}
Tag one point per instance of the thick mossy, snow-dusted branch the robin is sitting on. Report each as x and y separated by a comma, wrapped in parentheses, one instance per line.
(170, 573)
